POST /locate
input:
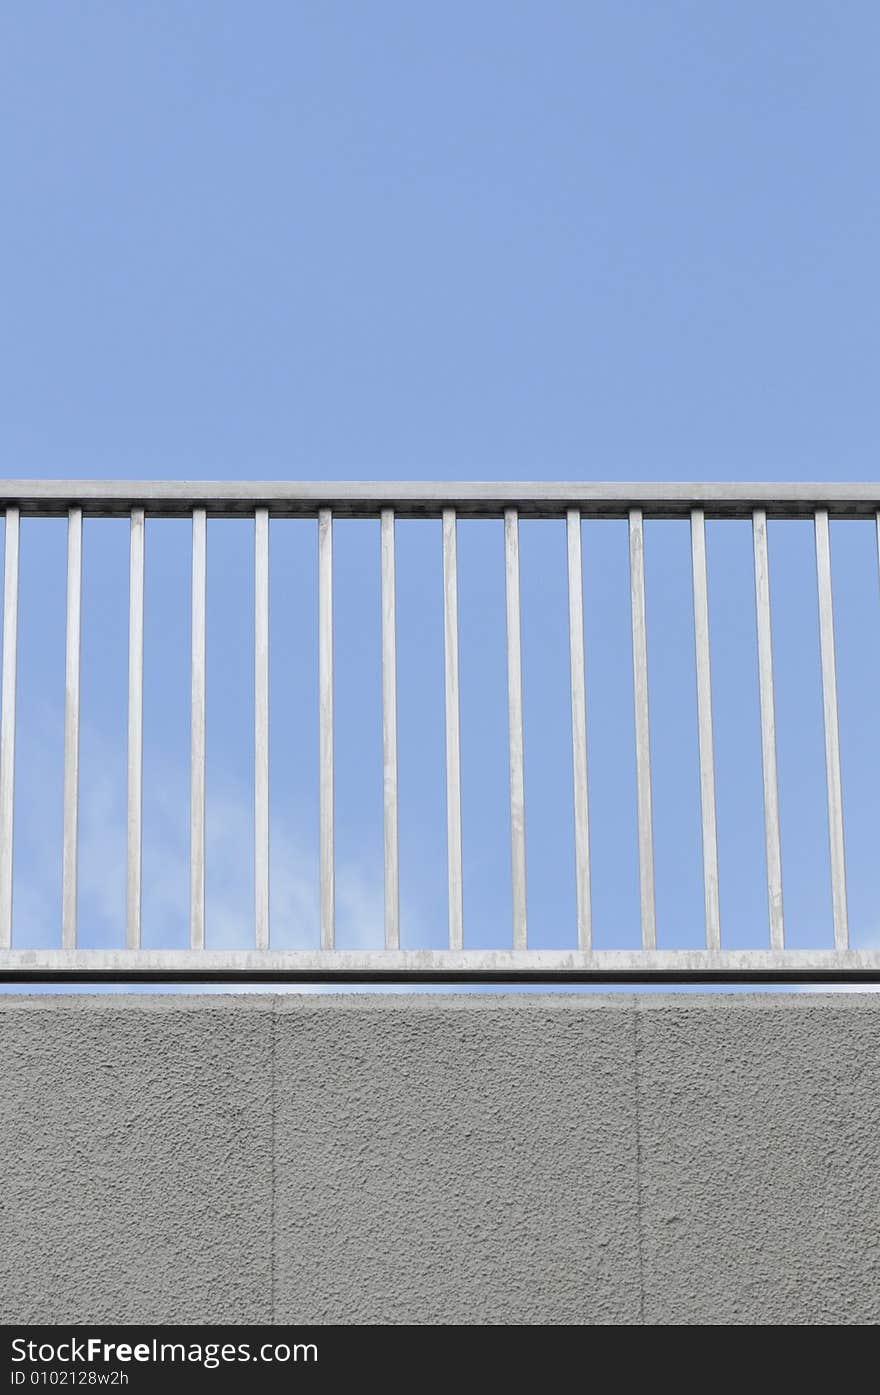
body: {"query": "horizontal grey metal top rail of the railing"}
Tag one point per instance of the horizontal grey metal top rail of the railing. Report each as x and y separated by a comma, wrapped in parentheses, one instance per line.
(356, 499)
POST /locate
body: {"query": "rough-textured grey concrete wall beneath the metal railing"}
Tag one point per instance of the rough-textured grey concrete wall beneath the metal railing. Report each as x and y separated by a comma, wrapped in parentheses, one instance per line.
(439, 1159)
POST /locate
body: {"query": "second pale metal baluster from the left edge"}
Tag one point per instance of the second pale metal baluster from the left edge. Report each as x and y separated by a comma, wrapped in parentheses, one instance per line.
(72, 730)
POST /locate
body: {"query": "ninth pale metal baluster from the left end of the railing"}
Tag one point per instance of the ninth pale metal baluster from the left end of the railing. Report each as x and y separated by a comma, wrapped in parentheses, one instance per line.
(515, 732)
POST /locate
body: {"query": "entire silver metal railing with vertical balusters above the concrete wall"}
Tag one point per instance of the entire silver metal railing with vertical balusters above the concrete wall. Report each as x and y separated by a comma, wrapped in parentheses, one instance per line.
(448, 503)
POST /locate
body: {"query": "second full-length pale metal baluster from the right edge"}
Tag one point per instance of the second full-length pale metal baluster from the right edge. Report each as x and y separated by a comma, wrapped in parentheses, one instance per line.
(769, 744)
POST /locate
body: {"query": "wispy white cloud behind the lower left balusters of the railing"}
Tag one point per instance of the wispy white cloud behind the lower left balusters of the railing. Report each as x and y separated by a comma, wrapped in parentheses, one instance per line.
(295, 898)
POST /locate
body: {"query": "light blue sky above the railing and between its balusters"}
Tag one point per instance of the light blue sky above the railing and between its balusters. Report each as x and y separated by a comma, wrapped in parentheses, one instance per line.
(598, 241)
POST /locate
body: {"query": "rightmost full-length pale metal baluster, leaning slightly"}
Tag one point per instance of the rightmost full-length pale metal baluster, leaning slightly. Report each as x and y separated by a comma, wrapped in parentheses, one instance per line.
(833, 751)
